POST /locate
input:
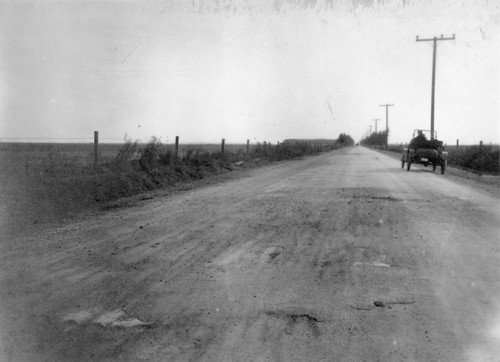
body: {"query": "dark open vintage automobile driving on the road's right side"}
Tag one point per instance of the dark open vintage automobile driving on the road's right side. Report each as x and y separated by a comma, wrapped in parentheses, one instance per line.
(425, 152)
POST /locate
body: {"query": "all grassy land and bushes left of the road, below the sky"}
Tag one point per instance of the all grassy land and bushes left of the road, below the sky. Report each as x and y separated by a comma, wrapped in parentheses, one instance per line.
(46, 182)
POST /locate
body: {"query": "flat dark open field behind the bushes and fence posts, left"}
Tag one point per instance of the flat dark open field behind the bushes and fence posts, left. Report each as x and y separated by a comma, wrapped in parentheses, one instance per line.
(47, 182)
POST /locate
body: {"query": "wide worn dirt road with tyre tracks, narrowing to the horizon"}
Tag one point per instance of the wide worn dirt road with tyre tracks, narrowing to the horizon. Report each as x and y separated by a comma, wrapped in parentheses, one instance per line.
(339, 257)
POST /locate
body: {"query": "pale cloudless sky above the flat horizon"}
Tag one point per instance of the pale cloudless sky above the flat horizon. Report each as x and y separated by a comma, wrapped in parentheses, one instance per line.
(260, 70)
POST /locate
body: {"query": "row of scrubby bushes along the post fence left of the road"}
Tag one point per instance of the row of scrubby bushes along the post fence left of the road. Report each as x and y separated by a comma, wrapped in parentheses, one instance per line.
(135, 167)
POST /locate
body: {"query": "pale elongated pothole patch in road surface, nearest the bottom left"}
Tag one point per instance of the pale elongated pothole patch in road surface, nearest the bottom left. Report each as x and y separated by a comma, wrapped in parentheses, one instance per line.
(115, 318)
